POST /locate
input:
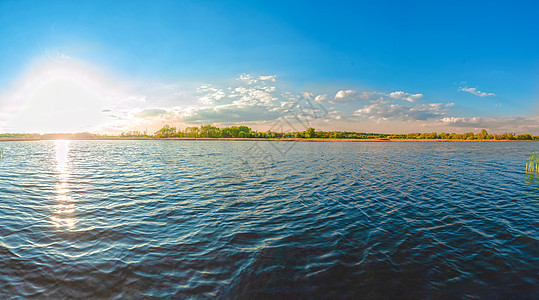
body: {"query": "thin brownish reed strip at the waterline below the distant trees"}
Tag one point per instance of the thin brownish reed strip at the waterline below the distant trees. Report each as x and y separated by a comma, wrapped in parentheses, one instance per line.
(4, 139)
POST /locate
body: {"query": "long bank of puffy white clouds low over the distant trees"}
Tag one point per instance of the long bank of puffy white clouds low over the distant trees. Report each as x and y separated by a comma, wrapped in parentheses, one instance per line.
(257, 100)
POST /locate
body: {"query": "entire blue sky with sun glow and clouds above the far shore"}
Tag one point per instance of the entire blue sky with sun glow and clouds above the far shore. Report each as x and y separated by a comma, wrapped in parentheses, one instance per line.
(140, 64)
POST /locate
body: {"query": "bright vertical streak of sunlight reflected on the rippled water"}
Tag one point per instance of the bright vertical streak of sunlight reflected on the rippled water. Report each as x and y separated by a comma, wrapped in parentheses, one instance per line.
(65, 207)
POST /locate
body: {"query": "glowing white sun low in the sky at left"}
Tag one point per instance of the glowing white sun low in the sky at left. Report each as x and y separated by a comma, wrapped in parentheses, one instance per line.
(64, 97)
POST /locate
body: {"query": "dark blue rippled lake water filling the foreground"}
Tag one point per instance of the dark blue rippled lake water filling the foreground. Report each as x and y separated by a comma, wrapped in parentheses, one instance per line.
(180, 219)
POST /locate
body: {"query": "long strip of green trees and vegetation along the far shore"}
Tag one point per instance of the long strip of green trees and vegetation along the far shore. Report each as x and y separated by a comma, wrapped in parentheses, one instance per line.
(241, 133)
